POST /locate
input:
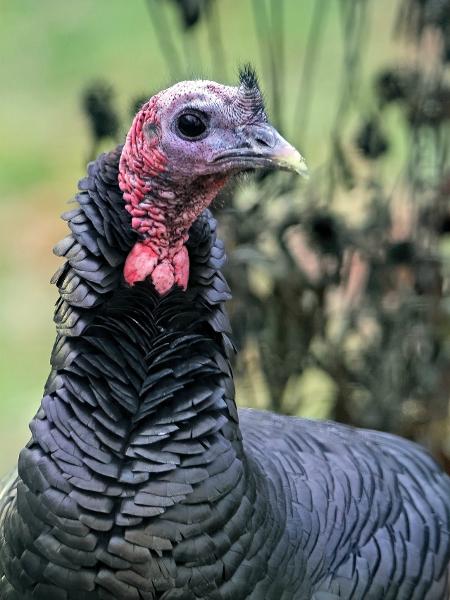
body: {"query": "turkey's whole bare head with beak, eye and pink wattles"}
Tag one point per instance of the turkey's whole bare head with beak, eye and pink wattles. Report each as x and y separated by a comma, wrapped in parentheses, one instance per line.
(183, 145)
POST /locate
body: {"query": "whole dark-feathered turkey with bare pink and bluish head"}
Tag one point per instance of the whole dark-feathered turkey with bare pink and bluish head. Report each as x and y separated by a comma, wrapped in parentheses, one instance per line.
(141, 480)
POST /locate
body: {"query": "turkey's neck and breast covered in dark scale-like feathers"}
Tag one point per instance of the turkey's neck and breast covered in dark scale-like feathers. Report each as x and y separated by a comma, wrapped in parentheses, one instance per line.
(136, 446)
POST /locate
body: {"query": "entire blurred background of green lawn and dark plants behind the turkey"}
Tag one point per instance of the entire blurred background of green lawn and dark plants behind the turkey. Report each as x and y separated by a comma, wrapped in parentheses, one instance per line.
(340, 286)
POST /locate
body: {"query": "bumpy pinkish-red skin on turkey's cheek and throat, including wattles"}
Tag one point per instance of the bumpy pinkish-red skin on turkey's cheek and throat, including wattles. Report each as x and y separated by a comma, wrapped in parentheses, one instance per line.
(162, 209)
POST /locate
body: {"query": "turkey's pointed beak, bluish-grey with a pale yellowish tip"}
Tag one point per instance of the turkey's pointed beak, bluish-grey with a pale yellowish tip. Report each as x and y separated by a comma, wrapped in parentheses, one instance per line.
(262, 147)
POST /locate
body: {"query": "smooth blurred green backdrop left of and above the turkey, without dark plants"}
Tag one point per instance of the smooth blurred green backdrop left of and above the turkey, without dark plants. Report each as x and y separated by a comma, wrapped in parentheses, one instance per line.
(50, 51)
